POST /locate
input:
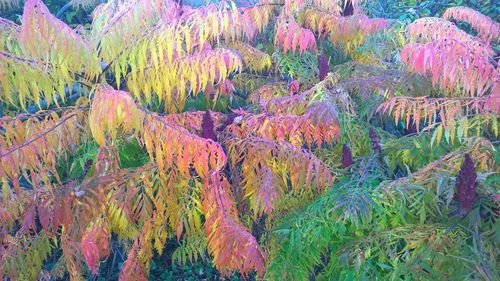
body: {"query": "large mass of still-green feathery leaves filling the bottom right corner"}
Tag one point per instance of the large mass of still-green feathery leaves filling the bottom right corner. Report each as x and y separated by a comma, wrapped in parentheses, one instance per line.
(363, 230)
